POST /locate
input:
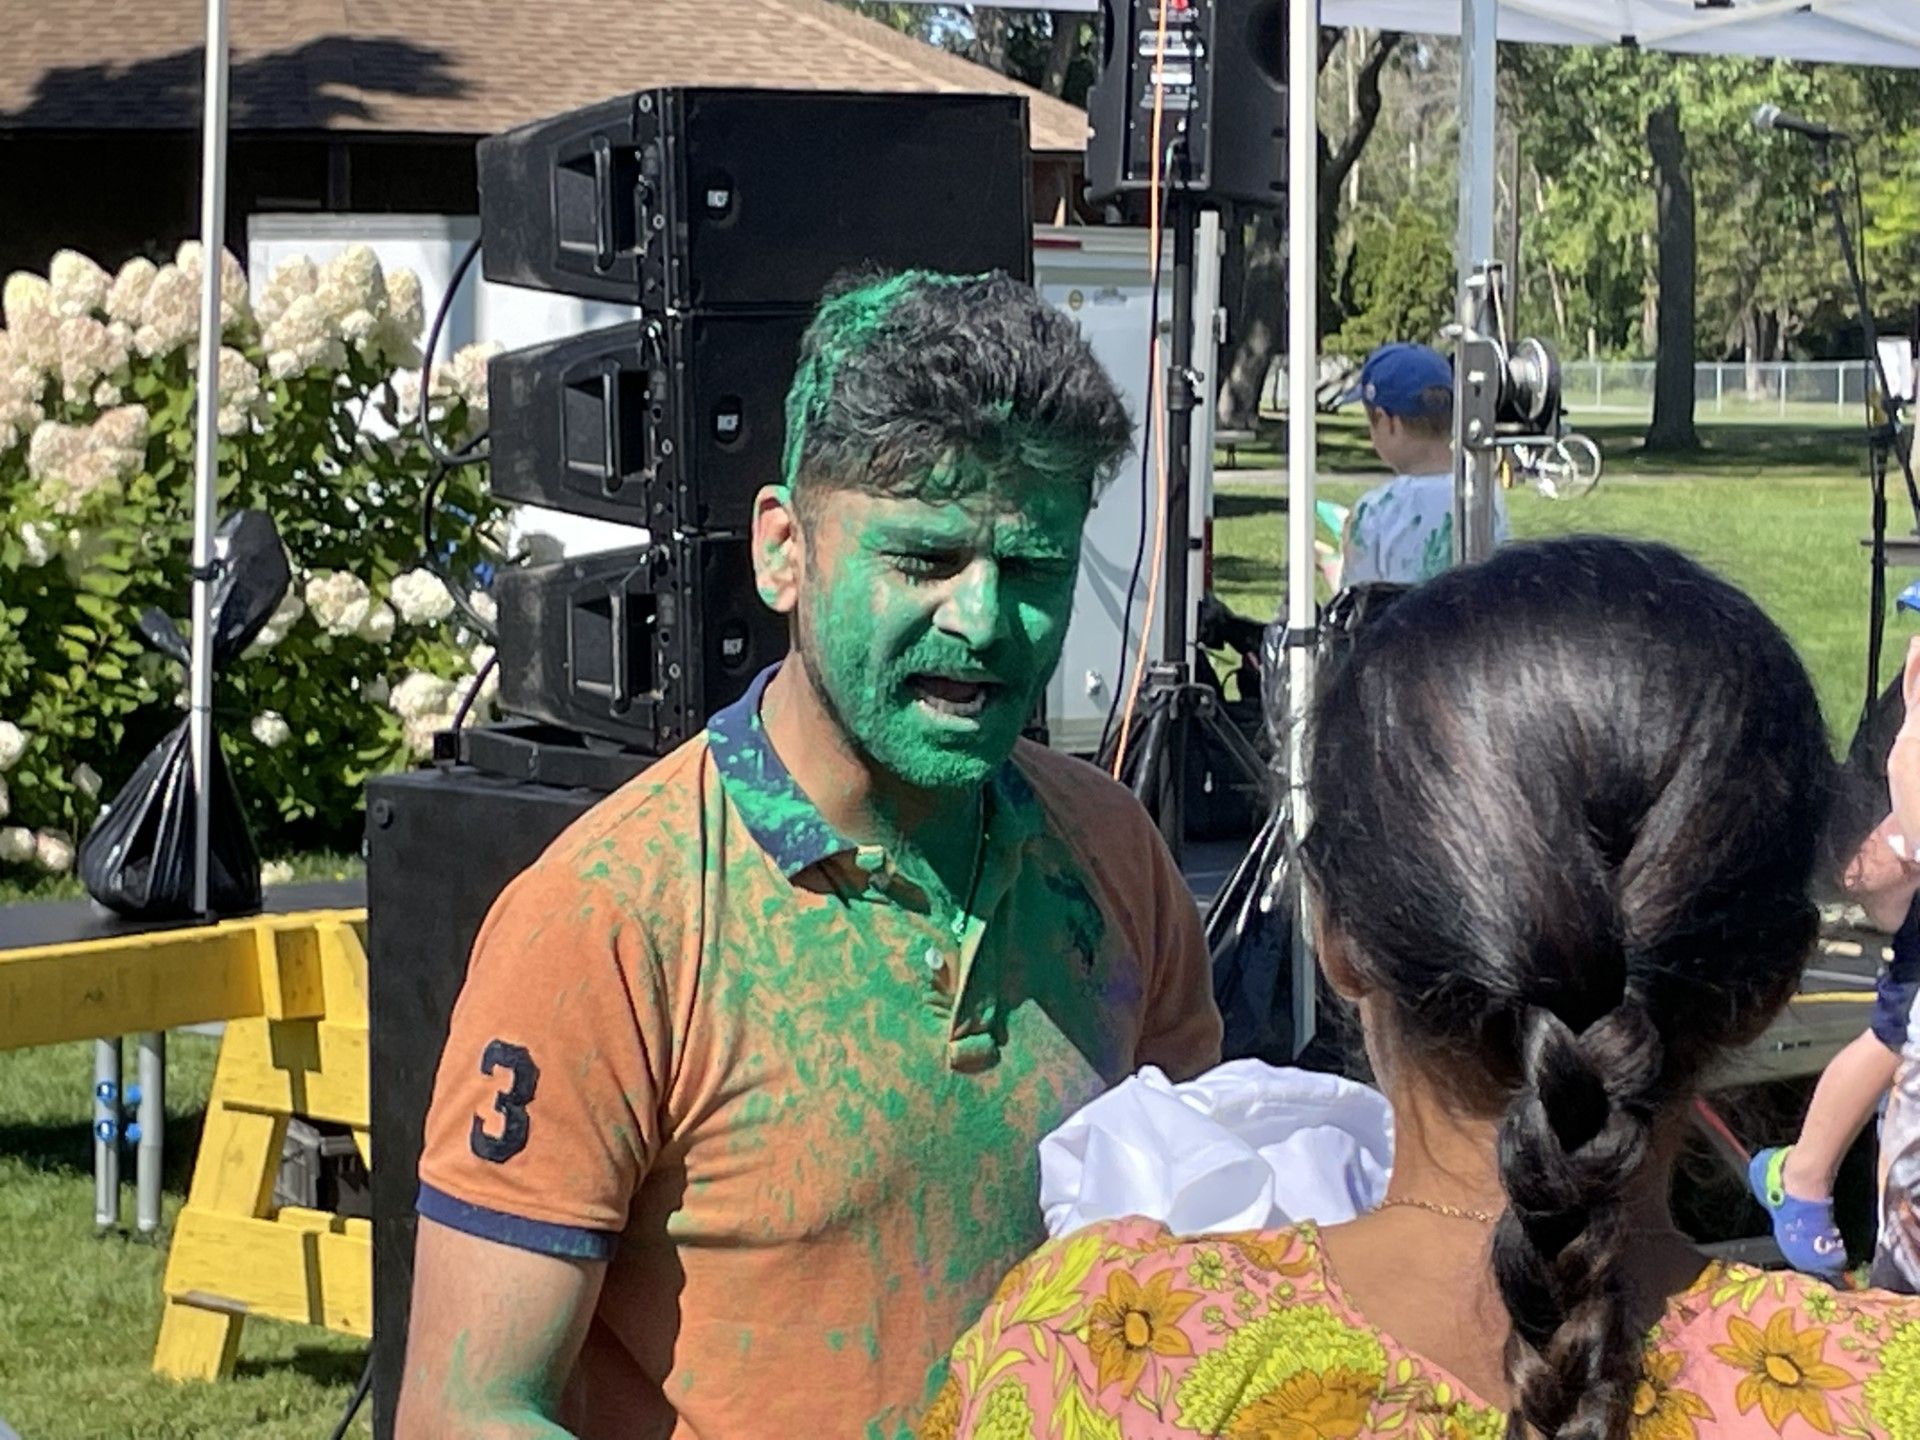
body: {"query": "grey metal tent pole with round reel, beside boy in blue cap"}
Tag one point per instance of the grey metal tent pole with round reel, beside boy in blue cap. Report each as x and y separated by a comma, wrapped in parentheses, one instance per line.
(1474, 473)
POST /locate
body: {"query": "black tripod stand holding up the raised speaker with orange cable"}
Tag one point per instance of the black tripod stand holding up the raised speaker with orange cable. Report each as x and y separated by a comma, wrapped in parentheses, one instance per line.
(1176, 711)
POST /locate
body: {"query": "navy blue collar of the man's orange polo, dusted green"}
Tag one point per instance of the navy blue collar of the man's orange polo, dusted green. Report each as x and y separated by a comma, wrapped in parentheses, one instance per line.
(790, 827)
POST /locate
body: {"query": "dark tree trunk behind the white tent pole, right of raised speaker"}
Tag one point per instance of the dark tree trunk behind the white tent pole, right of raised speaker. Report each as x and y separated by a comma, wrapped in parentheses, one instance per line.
(1259, 325)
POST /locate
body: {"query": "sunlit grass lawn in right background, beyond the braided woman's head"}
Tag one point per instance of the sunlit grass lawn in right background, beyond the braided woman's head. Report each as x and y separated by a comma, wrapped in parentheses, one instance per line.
(1777, 510)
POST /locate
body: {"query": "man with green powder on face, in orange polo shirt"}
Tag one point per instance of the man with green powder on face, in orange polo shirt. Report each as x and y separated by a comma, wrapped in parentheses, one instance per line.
(736, 1124)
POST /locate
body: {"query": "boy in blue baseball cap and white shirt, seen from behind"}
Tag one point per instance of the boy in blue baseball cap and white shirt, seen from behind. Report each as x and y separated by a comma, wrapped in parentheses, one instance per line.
(1403, 533)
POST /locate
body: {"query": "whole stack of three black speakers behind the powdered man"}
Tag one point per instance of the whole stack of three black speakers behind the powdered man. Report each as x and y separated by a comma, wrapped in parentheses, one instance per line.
(721, 216)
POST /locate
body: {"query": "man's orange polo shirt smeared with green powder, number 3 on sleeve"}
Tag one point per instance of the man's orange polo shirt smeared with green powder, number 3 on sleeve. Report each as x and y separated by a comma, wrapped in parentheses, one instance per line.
(725, 1049)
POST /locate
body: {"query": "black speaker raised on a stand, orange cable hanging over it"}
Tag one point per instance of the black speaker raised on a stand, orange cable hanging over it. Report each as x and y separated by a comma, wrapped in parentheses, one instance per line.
(1224, 84)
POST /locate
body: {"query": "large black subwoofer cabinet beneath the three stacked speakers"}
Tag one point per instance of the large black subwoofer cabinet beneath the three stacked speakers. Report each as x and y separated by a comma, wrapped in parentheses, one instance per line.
(429, 886)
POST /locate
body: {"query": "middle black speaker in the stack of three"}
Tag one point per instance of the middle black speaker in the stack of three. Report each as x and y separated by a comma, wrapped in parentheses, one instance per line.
(671, 423)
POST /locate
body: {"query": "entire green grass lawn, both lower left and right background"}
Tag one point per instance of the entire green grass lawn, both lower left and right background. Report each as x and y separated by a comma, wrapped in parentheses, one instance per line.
(1779, 510)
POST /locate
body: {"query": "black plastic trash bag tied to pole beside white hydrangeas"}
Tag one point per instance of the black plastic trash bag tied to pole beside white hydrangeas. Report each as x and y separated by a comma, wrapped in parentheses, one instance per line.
(139, 857)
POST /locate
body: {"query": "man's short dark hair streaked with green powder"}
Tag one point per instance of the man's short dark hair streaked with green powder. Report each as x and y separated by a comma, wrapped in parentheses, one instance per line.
(921, 385)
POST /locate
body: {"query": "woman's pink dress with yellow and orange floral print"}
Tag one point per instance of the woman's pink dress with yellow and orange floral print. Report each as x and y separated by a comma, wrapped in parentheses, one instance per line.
(1130, 1333)
